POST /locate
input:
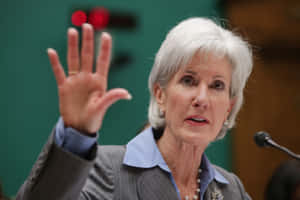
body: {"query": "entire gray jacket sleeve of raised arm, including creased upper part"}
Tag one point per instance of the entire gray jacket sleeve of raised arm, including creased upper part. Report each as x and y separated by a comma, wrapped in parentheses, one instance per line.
(61, 175)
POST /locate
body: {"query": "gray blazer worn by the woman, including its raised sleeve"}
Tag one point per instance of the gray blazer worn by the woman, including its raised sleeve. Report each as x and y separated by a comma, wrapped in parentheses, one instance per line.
(61, 175)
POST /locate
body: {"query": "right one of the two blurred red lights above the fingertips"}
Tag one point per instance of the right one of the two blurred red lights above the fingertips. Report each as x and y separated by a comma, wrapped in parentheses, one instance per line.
(98, 18)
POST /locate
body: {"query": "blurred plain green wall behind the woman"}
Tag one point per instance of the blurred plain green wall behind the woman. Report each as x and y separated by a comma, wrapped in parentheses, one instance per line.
(29, 102)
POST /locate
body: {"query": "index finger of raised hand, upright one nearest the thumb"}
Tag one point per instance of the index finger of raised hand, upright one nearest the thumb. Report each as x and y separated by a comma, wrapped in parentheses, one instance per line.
(103, 60)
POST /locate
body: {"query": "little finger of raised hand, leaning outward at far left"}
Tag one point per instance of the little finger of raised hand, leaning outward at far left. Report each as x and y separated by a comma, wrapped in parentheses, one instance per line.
(56, 66)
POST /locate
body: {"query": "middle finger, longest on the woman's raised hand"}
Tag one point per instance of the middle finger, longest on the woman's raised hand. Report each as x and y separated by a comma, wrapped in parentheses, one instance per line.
(87, 51)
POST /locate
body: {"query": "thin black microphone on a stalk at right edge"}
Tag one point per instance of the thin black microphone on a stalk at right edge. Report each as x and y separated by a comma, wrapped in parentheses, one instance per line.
(263, 139)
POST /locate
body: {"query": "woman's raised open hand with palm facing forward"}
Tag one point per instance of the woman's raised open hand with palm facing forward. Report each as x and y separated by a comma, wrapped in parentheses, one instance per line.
(83, 95)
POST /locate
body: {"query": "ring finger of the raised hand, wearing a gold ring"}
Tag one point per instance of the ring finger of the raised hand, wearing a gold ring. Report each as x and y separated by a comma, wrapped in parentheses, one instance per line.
(73, 52)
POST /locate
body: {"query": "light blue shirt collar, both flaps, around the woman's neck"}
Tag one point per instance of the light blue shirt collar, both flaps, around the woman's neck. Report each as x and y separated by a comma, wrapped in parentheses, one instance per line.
(142, 152)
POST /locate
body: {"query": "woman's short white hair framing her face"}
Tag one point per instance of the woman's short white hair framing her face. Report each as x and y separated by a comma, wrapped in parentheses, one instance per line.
(182, 43)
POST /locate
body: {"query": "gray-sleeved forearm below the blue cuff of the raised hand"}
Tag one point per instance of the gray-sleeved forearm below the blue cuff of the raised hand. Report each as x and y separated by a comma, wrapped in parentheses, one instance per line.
(57, 174)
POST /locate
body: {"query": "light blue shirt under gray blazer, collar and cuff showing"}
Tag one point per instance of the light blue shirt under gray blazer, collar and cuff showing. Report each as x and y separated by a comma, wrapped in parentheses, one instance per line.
(141, 152)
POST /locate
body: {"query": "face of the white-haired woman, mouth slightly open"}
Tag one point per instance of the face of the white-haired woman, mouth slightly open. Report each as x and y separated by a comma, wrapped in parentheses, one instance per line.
(196, 100)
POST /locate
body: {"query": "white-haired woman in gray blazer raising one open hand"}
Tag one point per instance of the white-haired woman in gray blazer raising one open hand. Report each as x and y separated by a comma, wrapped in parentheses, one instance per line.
(196, 87)
